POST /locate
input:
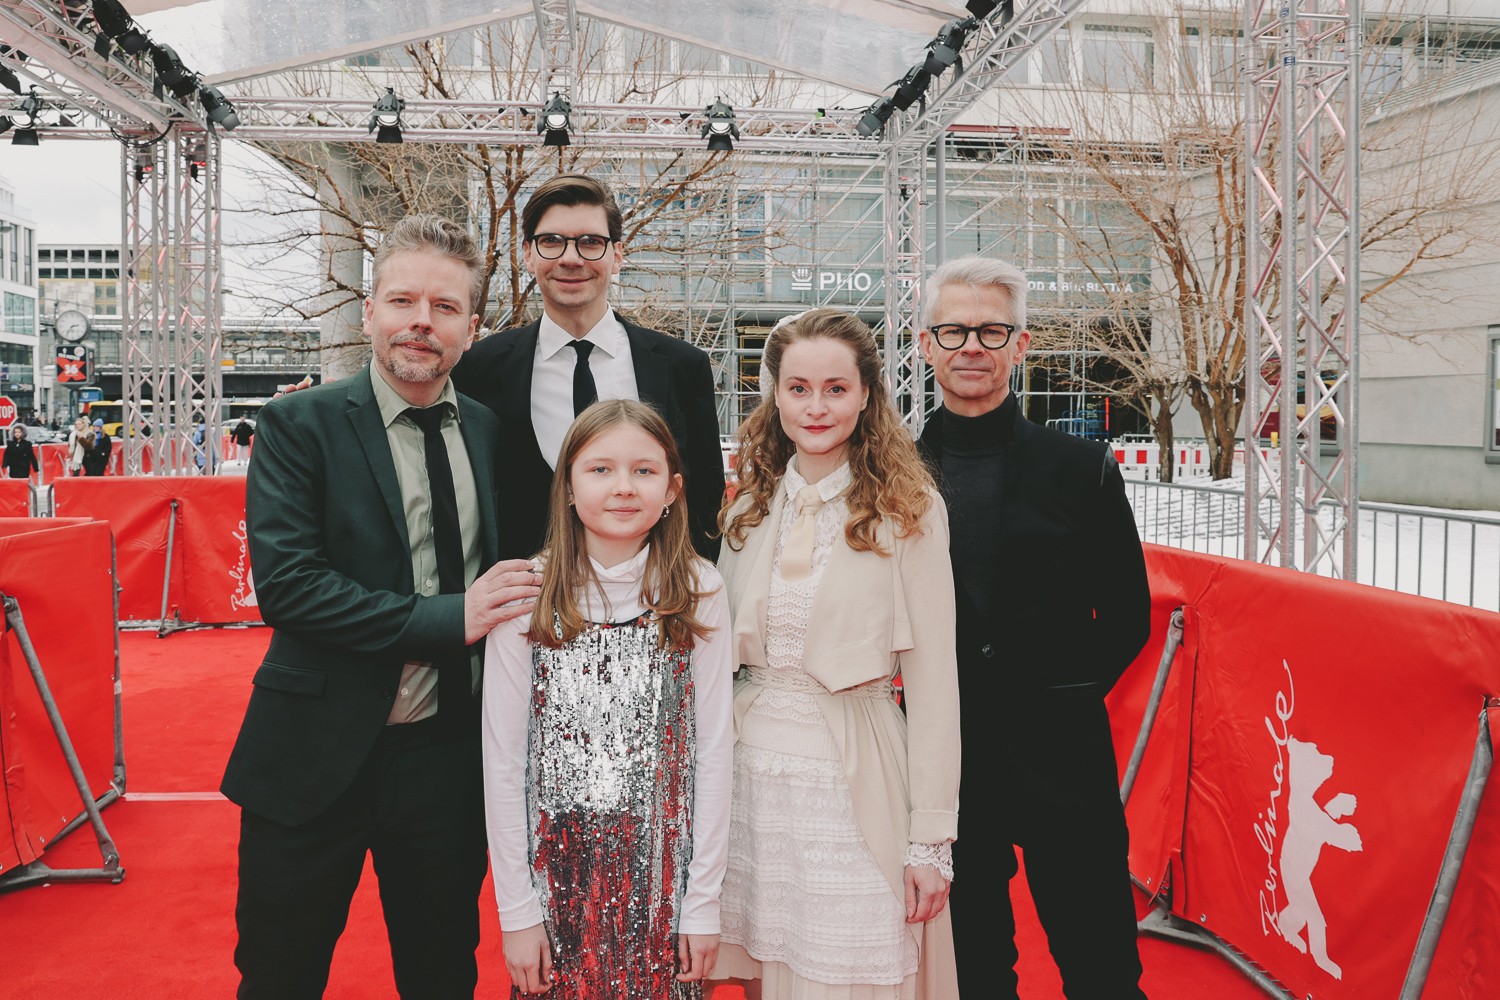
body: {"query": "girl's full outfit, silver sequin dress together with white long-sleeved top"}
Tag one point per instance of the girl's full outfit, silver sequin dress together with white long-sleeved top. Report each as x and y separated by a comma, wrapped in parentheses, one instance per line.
(608, 771)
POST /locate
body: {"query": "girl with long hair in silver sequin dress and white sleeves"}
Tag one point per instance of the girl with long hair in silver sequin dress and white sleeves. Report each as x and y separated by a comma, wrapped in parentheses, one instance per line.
(608, 732)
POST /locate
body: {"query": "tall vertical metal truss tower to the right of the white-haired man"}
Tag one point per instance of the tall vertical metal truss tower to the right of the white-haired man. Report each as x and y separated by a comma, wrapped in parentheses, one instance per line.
(1303, 311)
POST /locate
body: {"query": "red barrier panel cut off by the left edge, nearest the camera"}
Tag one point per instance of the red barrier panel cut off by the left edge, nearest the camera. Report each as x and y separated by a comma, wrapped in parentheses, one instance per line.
(73, 635)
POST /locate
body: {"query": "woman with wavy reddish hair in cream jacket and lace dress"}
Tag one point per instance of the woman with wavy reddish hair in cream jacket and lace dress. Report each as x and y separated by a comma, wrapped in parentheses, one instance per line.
(836, 561)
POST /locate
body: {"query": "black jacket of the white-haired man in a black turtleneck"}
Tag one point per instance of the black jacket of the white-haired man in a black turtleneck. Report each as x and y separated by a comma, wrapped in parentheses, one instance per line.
(1076, 605)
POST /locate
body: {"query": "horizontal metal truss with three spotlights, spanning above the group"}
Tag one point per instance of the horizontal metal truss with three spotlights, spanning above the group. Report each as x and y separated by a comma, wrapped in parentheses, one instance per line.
(614, 127)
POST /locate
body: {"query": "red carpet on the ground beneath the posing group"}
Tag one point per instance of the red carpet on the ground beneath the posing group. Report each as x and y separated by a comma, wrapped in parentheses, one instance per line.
(169, 929)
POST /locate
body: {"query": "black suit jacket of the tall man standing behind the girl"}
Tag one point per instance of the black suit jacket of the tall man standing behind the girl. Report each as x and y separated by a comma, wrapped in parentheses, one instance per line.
(671, 374)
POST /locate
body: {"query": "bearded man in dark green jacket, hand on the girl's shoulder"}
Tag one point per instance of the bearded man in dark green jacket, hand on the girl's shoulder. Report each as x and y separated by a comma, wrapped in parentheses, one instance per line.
(373, 530)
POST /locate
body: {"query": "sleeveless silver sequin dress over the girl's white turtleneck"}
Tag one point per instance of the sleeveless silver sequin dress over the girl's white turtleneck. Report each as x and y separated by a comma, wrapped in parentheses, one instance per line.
(611, 803)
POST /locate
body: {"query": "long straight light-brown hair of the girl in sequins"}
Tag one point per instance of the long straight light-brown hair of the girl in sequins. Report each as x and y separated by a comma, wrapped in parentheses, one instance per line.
(670, 585)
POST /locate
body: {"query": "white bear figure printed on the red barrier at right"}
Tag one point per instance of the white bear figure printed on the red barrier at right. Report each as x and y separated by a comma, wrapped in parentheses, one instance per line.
(1310, 827)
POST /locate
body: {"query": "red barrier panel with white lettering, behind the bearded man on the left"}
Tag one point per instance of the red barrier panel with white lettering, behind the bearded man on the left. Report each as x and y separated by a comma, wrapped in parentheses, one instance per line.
(211, 579)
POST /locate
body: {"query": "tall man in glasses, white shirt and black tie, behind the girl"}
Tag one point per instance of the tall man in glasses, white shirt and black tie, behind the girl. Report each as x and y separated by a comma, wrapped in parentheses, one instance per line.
(536, 385)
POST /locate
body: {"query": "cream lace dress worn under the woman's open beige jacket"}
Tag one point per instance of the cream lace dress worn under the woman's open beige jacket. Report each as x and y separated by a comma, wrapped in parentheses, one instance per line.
(803, 894)
